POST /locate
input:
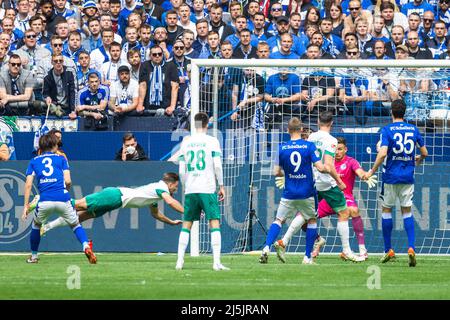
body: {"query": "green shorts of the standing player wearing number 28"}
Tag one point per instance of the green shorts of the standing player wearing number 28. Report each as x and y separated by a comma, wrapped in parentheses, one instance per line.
(194, 203)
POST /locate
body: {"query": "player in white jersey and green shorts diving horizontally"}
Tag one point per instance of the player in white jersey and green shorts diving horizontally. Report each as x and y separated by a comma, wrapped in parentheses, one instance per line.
(97, 204)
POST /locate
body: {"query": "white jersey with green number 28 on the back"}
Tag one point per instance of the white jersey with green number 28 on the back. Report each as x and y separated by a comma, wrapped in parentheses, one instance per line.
(197, 154)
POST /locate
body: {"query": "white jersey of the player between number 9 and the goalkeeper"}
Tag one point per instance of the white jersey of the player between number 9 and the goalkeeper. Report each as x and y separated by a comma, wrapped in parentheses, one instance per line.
(325, 144)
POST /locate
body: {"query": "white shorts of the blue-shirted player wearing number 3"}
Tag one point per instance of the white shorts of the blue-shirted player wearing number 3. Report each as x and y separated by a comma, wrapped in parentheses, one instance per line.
(64, 209)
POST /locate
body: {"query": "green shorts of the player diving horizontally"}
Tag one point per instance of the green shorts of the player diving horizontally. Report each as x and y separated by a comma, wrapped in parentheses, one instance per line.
(104, 201)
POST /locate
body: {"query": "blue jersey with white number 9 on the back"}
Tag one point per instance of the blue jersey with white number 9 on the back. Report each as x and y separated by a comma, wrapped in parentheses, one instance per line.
(296, 158)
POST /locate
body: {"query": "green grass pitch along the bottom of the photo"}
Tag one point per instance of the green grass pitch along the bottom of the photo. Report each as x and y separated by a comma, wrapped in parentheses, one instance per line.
(151, 276)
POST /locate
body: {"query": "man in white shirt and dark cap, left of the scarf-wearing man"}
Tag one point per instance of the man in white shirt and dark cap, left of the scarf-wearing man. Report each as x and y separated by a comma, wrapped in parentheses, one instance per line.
(124, 93)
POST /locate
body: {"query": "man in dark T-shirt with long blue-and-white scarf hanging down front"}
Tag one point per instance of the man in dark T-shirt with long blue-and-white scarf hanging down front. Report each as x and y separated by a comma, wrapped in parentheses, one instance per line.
(158, 85)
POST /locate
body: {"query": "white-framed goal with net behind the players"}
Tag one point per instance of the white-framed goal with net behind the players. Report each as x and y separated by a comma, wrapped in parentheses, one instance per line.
(250, 103)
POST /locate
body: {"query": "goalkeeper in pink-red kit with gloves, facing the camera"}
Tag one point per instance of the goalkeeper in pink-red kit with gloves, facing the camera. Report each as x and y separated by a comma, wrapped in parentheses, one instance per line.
(347, 168)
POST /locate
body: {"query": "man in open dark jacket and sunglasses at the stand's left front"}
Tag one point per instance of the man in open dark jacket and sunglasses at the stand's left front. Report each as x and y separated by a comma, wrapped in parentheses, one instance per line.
(59, 92)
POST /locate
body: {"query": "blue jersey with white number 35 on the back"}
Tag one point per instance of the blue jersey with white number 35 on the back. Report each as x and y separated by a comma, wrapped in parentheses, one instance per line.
(401, 139)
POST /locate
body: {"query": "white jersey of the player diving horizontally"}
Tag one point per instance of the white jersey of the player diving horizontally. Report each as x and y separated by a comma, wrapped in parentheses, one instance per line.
(143, 196)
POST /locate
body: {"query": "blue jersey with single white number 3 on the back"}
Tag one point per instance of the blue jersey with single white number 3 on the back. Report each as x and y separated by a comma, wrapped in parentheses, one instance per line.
(48, 169)
